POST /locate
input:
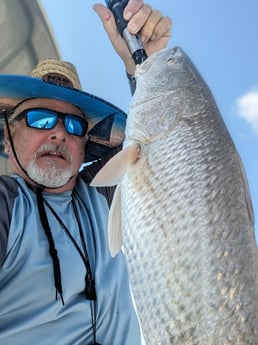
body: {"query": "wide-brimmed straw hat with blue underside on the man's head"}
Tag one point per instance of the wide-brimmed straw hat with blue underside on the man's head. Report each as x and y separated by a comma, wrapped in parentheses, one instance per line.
(59, 80)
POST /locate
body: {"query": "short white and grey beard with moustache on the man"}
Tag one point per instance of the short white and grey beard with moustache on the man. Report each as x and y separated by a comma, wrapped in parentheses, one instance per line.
(52, 175)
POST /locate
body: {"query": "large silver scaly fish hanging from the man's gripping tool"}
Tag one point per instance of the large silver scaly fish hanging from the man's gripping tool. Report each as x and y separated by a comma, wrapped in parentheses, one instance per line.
(182, 211)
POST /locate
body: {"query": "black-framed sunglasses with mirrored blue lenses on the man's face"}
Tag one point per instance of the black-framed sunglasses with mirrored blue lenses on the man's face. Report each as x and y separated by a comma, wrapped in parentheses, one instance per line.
(46, 119)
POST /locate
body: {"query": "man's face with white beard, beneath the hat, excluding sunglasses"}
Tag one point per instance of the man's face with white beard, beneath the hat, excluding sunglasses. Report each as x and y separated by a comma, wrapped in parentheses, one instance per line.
(51, 157)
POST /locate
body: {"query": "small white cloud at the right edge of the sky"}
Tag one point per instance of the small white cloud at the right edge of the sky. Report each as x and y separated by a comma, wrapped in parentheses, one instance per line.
(247, 107)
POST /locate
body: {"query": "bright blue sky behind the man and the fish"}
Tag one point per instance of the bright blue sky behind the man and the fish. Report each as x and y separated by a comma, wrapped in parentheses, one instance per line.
(220, 37)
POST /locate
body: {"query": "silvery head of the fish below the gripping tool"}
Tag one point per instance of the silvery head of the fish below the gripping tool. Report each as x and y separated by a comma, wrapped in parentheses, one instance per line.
(168, 88)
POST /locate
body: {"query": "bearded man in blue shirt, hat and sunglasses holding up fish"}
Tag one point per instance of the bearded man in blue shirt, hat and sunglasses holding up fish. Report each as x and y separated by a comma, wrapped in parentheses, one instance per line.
(58, 282)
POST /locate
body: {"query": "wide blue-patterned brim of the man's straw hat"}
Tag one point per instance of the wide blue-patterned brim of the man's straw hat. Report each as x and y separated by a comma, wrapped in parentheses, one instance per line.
(106, 121)
